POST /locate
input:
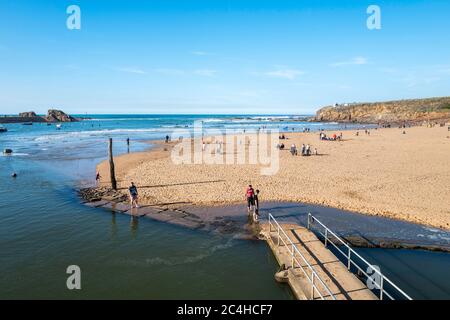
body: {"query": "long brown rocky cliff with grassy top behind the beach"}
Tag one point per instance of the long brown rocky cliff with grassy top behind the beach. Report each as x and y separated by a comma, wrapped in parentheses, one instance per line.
(392, 111)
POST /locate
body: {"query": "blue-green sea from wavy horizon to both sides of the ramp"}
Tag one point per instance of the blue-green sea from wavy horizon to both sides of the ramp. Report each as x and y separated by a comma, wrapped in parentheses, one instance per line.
(45, 228)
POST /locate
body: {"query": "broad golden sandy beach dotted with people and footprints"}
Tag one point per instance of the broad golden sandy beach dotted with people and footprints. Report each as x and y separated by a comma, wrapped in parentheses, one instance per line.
(386, 173)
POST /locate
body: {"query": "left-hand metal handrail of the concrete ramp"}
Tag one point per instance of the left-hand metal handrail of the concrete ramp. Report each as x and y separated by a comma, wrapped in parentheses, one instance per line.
(294, 250)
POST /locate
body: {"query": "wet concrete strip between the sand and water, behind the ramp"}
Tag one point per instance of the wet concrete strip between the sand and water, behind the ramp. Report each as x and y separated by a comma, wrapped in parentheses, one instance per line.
(358, 229)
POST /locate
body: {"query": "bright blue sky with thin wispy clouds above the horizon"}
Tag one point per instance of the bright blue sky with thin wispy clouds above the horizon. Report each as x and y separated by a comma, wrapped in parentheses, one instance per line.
(235, 56)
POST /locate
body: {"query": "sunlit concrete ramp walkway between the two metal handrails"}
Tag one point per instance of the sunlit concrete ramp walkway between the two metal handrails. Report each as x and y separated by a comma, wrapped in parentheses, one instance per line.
(342, 284)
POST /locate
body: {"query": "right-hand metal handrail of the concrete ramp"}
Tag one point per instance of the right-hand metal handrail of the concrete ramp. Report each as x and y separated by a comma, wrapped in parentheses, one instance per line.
(350, 262)
